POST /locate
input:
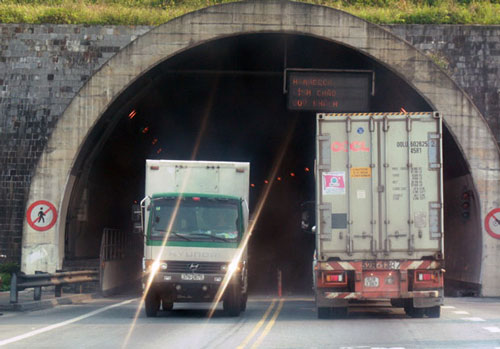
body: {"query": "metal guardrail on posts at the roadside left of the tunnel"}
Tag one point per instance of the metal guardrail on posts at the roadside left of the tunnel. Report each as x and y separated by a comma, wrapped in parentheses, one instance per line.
(21, 281)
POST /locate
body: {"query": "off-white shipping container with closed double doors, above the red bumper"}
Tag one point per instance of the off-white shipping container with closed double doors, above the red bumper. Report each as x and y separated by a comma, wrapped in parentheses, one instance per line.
(379, 186)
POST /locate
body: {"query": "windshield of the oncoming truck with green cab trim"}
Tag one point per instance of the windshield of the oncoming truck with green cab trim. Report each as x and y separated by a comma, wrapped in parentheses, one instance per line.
(197, 219)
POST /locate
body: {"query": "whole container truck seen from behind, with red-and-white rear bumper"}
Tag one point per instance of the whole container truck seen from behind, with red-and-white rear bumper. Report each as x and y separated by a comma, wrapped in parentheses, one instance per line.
(379, 212)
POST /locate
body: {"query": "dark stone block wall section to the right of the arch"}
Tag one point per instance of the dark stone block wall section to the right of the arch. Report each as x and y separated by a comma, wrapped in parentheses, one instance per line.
(469, 54)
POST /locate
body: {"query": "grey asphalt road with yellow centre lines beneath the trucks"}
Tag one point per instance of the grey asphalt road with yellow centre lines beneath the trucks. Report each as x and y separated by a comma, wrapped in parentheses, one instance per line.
(290, 322)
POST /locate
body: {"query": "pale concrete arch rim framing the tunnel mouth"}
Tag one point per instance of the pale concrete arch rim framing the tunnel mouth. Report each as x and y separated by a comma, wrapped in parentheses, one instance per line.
(461, 116)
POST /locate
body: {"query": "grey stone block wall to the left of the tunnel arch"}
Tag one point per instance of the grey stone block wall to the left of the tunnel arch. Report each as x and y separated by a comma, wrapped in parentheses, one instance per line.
(42, 67)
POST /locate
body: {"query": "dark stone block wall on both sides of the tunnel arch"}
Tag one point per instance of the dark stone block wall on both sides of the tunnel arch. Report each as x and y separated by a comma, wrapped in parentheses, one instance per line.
(42, 67)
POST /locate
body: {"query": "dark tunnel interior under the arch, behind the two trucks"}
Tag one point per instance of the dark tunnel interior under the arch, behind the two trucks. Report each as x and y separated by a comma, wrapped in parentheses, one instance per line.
(223, 100)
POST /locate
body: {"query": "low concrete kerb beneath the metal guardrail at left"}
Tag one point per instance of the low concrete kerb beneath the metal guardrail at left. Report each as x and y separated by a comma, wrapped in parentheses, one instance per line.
(26, 302)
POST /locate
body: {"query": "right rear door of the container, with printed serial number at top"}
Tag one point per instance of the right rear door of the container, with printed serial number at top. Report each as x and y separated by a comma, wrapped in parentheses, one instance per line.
(412, 211)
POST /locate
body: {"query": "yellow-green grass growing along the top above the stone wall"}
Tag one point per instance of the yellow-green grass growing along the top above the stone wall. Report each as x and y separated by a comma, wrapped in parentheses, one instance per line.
(154, 12)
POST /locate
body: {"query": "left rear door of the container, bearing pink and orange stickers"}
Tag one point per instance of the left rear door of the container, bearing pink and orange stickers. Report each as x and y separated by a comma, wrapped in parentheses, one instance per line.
(347, 151)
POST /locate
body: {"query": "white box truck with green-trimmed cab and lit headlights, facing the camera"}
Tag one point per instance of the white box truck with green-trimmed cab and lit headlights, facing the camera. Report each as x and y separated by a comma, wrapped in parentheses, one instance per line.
(195, 215)
